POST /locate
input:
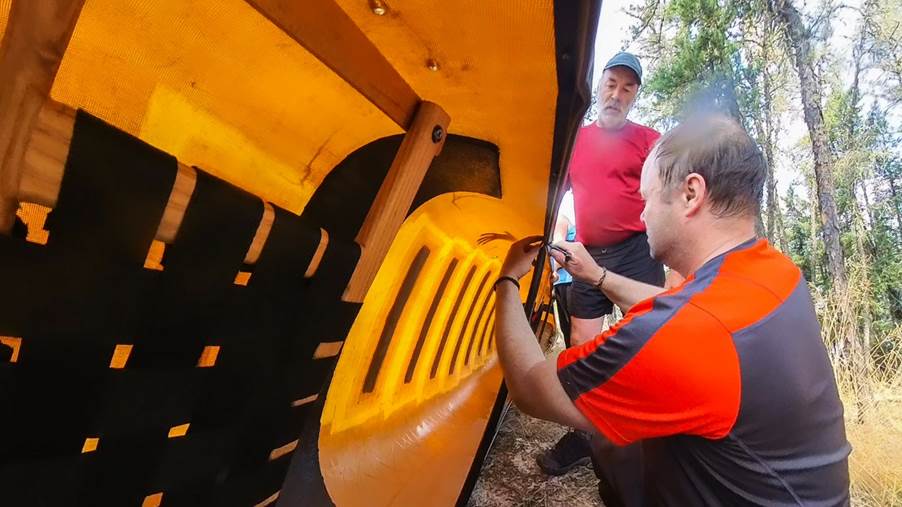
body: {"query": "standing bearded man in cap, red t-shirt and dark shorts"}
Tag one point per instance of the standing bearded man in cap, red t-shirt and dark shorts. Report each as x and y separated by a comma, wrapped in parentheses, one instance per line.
(604, 174)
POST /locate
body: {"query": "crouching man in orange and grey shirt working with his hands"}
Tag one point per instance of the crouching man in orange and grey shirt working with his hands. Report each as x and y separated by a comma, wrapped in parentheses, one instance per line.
(724, 380)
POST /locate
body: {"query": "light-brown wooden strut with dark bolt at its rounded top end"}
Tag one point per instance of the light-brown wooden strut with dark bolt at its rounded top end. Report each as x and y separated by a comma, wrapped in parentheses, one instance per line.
(421, 144)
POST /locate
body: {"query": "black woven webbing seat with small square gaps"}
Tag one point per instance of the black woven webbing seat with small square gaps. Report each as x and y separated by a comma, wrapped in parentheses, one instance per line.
(75, 298)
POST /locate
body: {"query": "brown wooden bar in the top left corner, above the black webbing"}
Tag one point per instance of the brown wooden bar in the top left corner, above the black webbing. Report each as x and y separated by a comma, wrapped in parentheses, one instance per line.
(37, 34)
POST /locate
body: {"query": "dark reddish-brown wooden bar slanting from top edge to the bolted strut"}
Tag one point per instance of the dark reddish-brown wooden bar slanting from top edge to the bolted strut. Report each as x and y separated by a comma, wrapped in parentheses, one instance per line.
(326, 31)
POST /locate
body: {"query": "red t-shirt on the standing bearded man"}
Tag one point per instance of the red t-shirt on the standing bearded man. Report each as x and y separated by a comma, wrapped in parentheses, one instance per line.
(604, 174)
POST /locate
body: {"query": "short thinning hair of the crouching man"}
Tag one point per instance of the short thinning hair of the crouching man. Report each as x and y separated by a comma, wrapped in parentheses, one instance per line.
(719, 149)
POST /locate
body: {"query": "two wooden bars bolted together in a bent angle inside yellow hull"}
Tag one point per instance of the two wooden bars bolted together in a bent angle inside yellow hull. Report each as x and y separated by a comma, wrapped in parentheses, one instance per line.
(324, 29)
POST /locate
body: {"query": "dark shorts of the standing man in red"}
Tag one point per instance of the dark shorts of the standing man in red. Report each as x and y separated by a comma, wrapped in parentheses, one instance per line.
(630, 259)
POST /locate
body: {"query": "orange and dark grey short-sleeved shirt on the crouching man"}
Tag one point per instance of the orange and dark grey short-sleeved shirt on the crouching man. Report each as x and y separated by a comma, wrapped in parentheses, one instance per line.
(727, 383)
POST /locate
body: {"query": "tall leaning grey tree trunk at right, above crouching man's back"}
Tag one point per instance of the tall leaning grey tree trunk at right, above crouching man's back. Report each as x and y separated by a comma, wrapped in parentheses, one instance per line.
(800, 44)
